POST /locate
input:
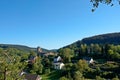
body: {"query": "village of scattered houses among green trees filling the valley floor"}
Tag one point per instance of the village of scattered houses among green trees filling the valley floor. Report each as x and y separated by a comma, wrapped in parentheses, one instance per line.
(58, 65)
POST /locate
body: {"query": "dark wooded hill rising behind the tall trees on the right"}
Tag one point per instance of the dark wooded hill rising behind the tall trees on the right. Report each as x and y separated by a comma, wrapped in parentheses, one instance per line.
(110, 38)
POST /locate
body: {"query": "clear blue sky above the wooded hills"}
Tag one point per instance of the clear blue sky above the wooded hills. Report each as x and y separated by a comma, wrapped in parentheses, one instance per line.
(52, 24)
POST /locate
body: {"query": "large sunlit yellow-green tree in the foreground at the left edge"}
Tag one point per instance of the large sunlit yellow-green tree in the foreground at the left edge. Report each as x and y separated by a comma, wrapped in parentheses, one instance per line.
(10, 64)
